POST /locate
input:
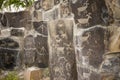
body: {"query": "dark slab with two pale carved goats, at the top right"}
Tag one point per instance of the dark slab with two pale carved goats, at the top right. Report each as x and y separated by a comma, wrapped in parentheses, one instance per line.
(88, 12)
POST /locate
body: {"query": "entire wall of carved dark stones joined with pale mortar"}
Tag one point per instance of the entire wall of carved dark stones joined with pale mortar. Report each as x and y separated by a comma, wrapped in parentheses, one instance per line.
(79, 39)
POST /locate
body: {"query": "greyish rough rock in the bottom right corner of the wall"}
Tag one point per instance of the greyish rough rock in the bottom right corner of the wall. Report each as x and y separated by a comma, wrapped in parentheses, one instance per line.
(110, 68)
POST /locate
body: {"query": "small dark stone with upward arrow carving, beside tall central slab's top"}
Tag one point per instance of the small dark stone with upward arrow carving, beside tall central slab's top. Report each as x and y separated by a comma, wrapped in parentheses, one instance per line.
(41, 27)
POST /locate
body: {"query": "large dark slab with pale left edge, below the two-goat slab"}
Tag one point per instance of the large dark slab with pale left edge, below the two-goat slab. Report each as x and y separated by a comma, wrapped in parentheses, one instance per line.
(90, 49)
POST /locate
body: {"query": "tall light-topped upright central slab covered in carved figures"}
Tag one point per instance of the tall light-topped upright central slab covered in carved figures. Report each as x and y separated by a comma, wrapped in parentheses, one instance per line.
(62, 54)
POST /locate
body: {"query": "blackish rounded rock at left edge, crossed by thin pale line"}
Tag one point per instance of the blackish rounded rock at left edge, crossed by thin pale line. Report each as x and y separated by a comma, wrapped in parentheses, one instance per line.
(8, 53)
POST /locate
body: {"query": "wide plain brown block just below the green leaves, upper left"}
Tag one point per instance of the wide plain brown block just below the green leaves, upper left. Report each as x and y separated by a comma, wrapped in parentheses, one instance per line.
(18, 19)
